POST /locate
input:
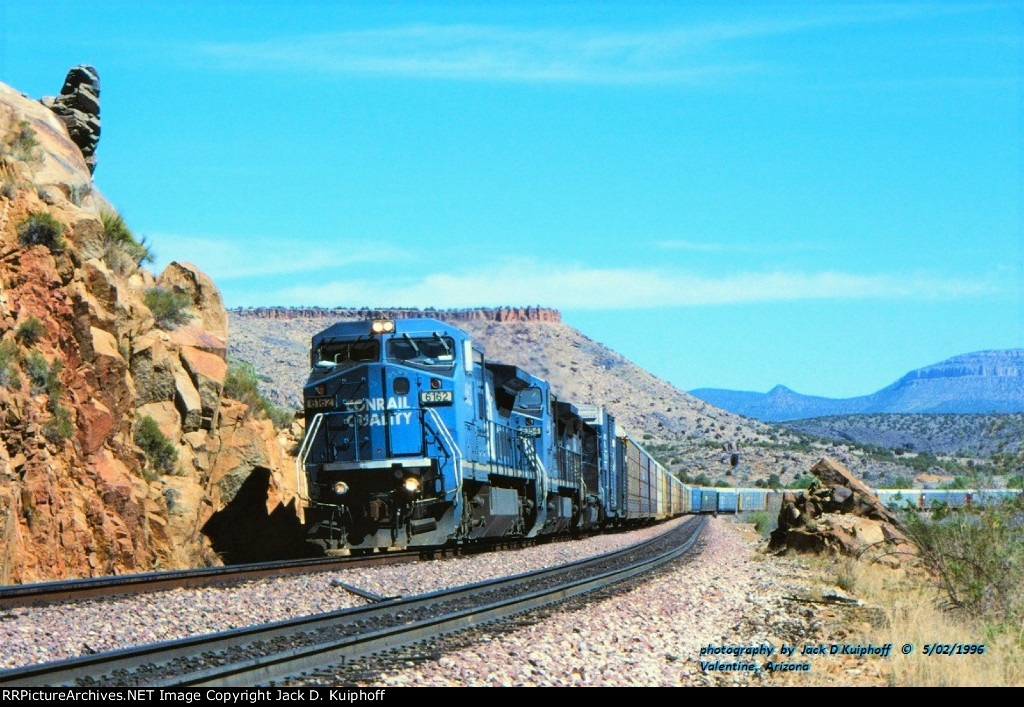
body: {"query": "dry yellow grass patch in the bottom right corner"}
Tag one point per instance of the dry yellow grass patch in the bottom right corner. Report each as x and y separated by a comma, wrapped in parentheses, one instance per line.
(909, 604)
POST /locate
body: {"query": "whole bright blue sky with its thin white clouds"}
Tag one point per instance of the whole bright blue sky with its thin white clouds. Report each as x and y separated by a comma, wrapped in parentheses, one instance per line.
(732, 194)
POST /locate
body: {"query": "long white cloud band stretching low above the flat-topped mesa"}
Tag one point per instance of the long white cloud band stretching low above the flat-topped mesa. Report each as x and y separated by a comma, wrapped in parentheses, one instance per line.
(582, 288)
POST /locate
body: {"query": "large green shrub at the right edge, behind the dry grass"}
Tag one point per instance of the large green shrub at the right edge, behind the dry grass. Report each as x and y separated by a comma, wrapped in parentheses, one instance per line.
(975, 556)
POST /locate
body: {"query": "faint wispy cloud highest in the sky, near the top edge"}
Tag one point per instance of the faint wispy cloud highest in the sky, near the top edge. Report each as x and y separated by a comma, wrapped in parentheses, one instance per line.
(694, 55)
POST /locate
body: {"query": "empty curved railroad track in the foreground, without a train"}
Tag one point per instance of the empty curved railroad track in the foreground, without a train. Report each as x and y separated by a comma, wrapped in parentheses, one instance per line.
(274, 652)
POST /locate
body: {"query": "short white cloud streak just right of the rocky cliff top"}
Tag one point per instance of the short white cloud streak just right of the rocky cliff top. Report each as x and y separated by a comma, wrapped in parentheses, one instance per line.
(229, 260)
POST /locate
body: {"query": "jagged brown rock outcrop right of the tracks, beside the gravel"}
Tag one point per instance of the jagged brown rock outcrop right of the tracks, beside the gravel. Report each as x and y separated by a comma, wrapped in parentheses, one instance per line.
(840, 515)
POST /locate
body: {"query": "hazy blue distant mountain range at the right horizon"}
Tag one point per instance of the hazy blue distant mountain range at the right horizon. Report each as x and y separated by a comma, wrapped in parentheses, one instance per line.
(979, 383)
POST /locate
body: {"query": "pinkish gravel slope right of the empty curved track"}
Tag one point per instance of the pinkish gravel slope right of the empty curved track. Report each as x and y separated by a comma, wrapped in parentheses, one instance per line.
(651, 636)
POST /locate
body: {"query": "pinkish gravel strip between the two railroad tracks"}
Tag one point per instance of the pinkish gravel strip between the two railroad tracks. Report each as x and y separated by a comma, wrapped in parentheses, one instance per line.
(38, 635)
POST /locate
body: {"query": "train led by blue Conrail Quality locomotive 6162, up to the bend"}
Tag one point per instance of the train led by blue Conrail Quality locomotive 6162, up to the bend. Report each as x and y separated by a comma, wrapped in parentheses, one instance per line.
(414, 439)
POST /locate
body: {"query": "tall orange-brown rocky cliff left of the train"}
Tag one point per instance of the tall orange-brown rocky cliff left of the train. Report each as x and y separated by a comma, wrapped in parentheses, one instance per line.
(118, 448)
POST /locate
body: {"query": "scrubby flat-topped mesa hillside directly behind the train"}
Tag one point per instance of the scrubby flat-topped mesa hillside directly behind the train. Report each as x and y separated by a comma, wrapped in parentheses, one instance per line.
(689, 435)
